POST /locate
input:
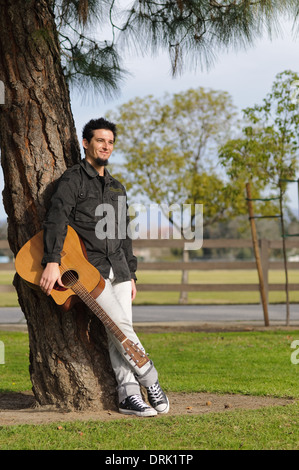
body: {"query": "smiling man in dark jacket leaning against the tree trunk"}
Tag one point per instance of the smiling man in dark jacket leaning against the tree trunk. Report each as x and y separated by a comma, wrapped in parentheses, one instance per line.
(82, 191)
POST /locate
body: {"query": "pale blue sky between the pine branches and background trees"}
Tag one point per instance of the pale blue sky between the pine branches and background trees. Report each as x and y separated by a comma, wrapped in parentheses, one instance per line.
(246, 75)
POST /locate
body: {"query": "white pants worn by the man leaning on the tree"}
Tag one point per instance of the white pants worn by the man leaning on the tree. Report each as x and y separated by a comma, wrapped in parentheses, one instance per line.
(116, 301)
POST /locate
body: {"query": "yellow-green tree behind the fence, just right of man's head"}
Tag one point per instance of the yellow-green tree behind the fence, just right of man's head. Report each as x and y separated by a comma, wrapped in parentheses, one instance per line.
(169, 147)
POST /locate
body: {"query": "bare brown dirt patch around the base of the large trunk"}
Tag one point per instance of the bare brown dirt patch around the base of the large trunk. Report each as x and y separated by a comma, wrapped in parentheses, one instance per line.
(19, 408)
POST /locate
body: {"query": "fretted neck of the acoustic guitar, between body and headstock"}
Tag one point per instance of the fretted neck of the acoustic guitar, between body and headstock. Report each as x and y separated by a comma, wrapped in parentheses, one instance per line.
(92, 304)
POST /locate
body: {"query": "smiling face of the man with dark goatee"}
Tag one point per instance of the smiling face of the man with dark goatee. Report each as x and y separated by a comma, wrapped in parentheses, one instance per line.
(100, 147)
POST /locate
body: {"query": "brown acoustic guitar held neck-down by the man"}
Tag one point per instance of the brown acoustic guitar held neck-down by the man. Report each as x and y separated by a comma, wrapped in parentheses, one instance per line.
(81, 280)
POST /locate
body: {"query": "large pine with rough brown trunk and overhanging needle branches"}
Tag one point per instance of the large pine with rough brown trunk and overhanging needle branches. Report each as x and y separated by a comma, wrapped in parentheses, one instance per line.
(69, 363)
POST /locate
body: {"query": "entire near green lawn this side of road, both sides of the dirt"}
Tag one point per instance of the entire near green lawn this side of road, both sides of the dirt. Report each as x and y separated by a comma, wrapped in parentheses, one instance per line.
(251, 363)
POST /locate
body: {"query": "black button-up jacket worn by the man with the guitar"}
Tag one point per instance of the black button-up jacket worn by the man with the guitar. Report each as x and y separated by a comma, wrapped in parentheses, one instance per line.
(96, 207)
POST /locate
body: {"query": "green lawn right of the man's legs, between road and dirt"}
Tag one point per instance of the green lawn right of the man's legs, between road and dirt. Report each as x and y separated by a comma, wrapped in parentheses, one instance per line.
(254, 363)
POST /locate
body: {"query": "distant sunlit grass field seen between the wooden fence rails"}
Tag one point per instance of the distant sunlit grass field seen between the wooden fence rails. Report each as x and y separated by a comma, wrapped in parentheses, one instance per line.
(206, 277)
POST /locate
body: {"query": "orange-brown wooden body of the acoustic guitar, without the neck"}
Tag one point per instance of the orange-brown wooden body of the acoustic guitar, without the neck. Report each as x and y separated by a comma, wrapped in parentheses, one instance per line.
(73, 260)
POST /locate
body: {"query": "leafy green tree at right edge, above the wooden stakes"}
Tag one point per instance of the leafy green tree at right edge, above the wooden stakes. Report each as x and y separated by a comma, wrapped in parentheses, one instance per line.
(267, 153)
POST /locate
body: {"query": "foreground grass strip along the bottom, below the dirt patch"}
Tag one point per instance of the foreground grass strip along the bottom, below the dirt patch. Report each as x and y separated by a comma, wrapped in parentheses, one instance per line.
(275, 428)
